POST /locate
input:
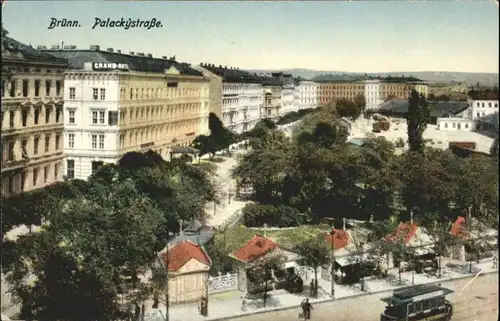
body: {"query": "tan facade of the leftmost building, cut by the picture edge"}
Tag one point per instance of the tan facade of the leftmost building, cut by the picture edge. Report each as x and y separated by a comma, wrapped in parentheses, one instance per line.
(31, 118)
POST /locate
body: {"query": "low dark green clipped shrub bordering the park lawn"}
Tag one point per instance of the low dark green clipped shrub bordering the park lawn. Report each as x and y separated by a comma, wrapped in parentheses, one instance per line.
(256, 215)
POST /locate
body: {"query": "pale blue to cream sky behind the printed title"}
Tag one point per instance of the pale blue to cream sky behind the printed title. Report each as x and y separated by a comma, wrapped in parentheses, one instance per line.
(360, 36)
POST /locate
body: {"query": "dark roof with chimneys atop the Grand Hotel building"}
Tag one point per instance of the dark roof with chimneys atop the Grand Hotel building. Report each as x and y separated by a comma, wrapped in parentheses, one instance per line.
(142, 63)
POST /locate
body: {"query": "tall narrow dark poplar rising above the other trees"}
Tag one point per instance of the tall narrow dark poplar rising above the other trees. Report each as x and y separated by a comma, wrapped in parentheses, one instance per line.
(417, 120)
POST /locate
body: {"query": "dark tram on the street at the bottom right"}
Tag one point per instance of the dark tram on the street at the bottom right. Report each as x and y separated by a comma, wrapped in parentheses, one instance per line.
(418, 303)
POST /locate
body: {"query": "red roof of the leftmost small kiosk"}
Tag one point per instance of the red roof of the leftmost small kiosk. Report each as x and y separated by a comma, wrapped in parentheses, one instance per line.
(181, 253)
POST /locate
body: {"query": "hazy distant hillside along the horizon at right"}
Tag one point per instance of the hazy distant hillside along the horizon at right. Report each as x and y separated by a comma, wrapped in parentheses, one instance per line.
(470, 78)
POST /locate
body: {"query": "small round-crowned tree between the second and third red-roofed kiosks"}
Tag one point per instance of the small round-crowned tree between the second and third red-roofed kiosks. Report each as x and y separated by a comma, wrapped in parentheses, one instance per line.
(316, 252)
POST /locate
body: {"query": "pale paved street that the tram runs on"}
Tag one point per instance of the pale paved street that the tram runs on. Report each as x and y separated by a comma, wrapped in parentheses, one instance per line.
(477, 302)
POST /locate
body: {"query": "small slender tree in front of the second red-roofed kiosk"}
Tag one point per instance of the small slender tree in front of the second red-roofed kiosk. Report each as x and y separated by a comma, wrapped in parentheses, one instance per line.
(262, 270)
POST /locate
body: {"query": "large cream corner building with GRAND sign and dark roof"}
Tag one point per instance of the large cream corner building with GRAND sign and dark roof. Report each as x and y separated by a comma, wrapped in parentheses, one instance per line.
(118, 103)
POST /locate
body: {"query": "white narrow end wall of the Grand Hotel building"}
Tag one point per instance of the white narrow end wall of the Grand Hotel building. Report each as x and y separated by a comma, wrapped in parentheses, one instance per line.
(90, 121)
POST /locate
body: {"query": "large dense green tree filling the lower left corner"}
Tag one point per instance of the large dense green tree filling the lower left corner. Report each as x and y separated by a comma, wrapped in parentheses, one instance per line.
(76, 261)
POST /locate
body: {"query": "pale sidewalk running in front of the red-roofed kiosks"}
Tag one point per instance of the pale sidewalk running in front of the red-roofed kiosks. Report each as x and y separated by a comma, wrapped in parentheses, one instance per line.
(281, 300)
